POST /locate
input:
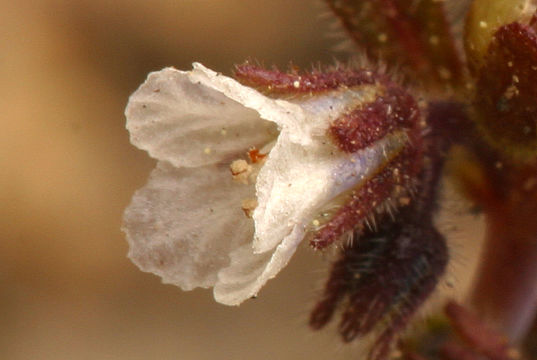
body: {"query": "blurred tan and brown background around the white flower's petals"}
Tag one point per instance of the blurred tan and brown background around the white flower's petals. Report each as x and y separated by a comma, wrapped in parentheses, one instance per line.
(67, 170)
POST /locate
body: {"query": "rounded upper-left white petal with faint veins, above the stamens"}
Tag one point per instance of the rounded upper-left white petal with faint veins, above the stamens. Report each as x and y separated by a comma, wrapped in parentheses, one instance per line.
(178, 119)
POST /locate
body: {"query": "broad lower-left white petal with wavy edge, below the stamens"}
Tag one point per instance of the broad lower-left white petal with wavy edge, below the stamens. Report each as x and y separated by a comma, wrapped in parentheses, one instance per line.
(185, 222)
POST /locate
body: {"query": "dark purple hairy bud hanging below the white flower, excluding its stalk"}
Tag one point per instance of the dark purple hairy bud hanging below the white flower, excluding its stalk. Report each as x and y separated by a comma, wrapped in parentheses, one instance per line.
(383, 278)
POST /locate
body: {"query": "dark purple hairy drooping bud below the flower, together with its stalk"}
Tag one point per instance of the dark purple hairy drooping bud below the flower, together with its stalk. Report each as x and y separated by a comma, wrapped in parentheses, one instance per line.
(387, 272)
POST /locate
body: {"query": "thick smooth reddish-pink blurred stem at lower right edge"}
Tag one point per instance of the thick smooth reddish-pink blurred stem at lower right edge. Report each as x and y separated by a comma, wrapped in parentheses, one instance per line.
(506, 289)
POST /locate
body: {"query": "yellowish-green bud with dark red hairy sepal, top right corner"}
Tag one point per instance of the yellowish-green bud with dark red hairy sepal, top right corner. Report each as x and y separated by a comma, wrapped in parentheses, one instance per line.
(501, 43)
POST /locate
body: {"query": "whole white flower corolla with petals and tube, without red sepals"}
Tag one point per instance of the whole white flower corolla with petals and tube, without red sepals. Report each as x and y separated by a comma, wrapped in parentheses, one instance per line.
(187, 225)
